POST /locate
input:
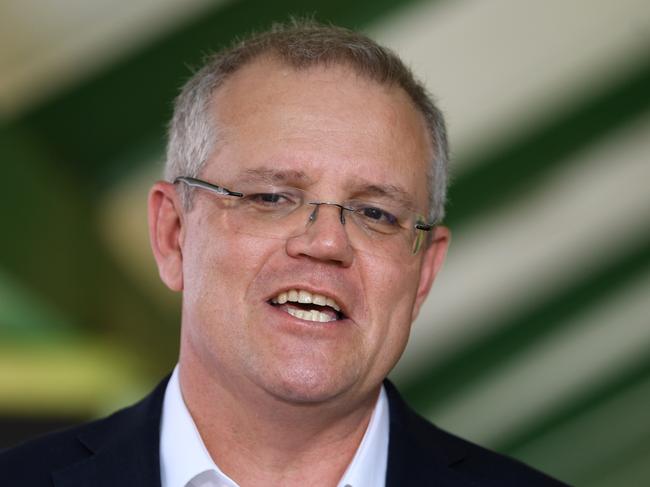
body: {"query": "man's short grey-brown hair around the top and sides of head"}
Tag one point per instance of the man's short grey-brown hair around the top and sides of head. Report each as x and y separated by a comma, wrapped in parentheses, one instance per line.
(299, 44)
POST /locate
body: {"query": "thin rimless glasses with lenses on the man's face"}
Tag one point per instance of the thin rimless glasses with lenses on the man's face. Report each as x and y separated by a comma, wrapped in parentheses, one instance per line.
(271, 211)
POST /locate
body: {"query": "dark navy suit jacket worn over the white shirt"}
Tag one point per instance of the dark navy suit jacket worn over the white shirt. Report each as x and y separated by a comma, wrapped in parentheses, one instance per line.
(122, 450)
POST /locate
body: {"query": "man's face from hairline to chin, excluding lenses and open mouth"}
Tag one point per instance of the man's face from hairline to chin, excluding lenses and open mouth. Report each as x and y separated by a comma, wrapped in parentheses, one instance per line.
(335, 135)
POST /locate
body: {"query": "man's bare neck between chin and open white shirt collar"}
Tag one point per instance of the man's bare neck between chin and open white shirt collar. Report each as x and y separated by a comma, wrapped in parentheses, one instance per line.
(259, 439)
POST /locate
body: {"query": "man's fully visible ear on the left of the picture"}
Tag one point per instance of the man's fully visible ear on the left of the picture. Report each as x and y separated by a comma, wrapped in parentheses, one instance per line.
(166, 232)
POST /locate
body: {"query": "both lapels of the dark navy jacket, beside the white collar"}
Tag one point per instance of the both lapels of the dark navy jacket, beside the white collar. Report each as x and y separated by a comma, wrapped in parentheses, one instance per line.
(124, 449)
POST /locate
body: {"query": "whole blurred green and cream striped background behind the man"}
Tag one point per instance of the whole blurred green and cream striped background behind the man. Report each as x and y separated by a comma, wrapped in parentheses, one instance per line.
(536, 338)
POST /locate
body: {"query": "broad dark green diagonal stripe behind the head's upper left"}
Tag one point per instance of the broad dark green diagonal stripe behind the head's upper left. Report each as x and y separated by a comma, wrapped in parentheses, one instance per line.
(92, 125)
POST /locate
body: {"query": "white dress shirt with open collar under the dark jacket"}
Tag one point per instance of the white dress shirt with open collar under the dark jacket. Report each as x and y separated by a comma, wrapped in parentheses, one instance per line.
(185, 461)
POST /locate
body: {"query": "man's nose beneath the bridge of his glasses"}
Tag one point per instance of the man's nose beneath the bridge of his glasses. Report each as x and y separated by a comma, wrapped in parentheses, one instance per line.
(325, 237)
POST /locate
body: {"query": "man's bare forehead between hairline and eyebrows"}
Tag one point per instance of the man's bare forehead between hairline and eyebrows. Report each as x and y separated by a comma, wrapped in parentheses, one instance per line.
(325, 121)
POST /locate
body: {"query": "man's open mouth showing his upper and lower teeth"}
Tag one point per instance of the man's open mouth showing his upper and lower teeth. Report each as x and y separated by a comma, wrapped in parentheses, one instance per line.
(308, 306)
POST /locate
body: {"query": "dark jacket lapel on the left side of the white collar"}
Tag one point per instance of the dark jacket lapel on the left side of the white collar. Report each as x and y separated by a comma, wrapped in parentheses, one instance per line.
(123, 448)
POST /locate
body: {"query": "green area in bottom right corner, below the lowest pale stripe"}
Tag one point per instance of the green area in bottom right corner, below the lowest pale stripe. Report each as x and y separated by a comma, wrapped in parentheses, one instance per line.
(580, 422)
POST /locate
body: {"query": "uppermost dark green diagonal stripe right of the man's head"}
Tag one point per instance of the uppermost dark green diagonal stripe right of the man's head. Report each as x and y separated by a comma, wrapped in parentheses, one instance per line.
(506, 175)
